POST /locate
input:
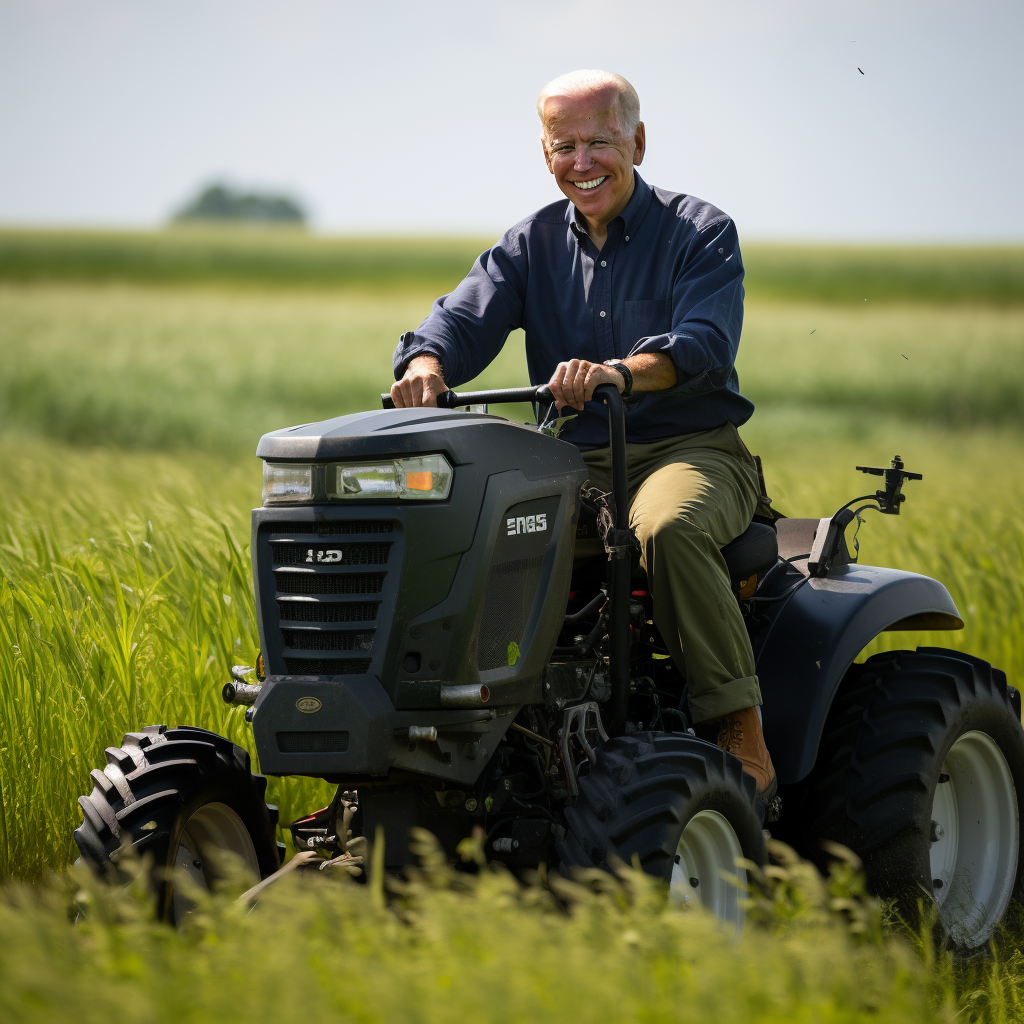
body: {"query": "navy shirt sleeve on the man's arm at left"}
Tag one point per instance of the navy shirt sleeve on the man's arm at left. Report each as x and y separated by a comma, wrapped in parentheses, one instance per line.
(467, 328)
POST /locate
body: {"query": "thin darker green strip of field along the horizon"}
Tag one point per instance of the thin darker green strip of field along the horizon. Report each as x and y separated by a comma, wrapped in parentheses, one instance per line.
(289, 259)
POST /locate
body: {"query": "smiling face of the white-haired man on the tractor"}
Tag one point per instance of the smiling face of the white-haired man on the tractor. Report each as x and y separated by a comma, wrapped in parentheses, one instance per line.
(590, 154)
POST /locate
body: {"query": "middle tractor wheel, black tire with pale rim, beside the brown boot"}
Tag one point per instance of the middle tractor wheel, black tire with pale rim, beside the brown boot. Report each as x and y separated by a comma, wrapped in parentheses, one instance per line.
(681, 806)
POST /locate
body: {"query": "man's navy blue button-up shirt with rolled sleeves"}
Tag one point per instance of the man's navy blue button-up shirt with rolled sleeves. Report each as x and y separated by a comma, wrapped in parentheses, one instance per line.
(668, 280)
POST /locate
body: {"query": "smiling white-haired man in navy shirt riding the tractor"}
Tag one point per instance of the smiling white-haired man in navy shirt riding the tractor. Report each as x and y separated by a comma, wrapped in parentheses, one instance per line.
(639, 288)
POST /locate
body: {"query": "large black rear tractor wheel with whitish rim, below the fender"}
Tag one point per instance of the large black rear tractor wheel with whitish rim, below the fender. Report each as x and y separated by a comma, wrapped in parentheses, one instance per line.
(919, 774)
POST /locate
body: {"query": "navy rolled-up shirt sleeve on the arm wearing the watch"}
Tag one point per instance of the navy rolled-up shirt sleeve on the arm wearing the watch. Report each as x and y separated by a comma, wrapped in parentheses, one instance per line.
(707, 313)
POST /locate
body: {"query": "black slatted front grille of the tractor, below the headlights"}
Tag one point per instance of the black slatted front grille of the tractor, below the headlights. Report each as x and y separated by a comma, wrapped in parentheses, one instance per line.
(320, 581)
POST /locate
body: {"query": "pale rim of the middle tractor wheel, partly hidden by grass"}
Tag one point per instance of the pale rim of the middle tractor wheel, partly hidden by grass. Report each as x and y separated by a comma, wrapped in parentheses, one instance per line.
(706, 870)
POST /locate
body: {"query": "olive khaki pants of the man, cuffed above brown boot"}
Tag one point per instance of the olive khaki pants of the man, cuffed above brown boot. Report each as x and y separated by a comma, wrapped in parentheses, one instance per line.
(690, 497)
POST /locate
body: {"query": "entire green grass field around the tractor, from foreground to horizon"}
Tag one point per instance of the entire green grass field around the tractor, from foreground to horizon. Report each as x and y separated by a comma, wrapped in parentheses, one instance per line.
(138, 372)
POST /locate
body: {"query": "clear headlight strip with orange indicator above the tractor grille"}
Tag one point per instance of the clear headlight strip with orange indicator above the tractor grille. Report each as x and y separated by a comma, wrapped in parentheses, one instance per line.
(418, 479)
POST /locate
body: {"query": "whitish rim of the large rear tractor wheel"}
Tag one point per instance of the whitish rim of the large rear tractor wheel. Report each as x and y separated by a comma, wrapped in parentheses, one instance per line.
(975, 834)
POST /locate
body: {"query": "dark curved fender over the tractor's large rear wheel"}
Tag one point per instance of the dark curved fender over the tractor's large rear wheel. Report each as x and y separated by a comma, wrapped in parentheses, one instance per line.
(815, 639)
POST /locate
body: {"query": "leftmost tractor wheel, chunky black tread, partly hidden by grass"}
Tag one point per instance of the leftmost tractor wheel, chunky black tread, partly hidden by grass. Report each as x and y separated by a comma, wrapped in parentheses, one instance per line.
(181, 797)
